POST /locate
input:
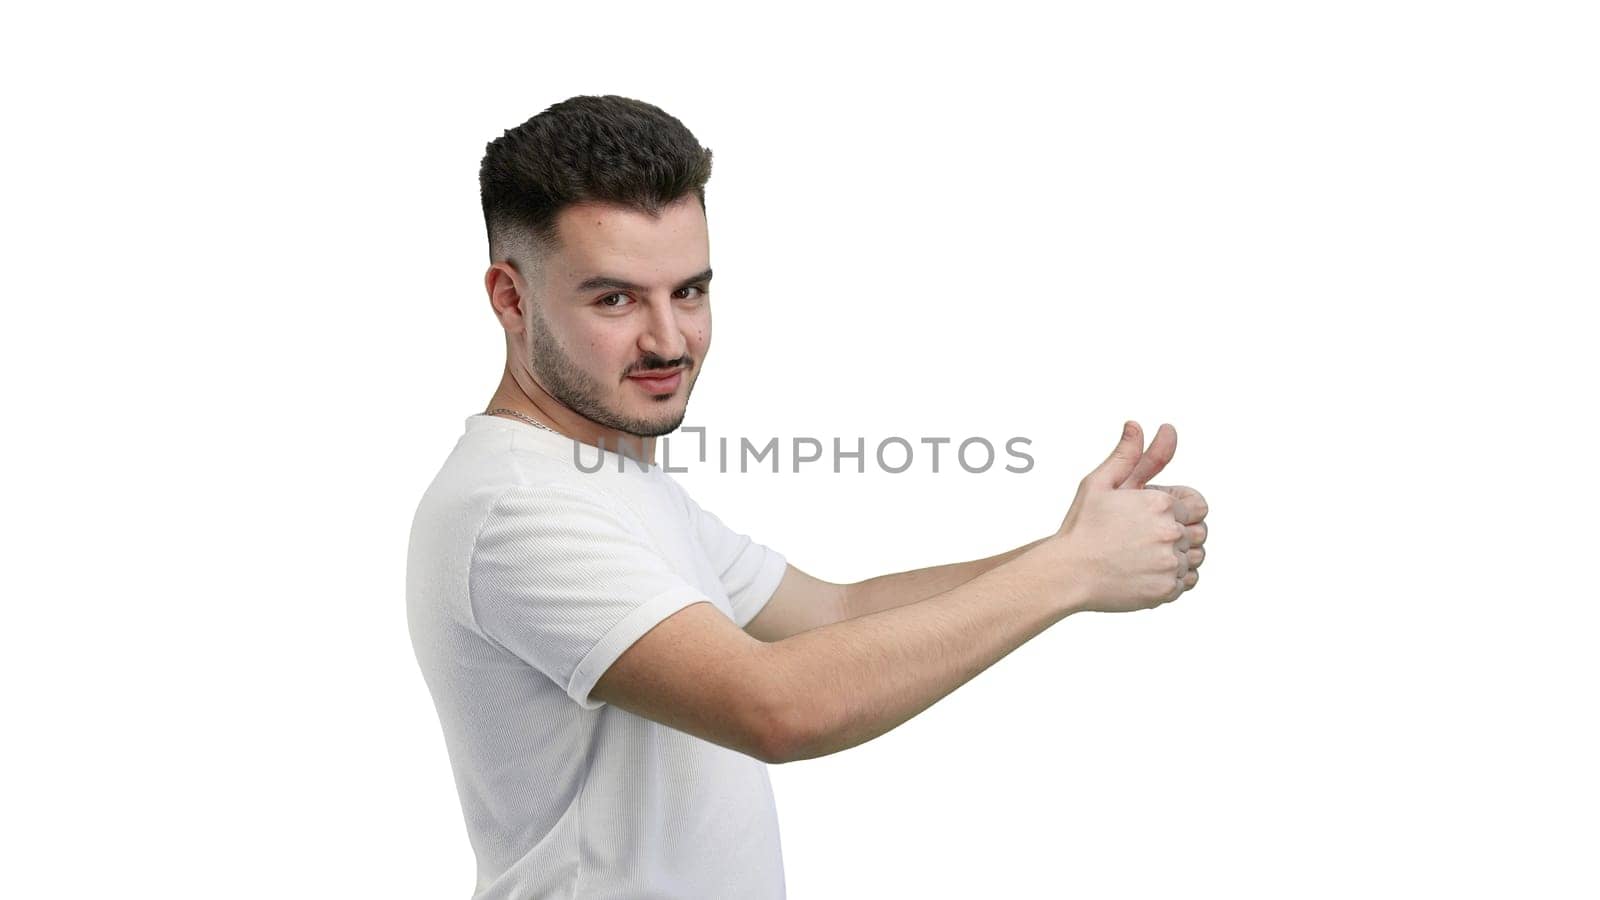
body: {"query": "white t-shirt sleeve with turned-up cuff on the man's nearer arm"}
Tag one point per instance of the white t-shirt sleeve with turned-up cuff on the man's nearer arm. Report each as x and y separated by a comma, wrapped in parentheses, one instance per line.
(567, 582)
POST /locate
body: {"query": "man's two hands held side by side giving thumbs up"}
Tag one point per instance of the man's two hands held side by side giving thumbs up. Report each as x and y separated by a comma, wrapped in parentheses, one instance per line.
(1132, 545)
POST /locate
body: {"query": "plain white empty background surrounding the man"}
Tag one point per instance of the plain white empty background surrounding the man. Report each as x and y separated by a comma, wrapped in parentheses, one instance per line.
(1350, 251)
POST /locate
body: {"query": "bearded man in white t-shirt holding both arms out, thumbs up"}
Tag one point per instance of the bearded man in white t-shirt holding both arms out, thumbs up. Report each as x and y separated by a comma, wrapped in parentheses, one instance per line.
(614, 667)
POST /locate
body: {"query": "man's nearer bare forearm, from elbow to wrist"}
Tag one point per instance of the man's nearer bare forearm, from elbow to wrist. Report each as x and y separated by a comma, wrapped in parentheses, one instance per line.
(852, 681)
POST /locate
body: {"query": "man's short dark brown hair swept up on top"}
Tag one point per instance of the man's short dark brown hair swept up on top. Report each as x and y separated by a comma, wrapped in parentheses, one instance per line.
(586, 148)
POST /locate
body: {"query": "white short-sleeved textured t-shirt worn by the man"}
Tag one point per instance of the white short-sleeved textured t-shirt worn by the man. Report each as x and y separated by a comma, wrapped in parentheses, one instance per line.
(527, 577)
